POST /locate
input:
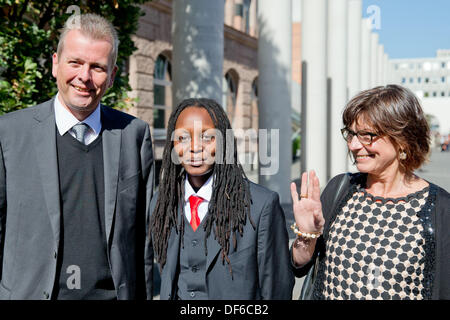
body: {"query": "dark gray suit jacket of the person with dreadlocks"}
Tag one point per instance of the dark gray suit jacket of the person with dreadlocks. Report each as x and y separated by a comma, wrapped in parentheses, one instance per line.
(260, 263)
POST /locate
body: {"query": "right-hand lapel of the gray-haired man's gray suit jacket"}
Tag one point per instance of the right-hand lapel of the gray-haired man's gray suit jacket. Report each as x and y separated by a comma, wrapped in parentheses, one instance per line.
(112, 135)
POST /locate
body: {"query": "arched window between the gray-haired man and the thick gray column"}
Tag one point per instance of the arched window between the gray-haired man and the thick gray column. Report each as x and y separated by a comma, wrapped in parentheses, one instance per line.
(162, 93)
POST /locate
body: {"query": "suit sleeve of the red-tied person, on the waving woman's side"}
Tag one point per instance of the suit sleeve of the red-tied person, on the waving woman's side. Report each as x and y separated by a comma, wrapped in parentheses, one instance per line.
(275, 275)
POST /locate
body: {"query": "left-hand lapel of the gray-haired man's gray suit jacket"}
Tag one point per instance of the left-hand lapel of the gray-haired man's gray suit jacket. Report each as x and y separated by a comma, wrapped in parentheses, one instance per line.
(44, 135)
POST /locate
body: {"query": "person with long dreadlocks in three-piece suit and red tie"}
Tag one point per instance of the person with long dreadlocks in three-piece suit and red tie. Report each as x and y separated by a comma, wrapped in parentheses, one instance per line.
(215, 234)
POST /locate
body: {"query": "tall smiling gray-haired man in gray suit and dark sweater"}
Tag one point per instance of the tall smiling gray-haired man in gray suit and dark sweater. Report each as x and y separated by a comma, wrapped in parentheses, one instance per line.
(76, 179)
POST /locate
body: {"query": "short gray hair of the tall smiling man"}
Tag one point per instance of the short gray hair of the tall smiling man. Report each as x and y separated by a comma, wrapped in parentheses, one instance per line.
(92, 26)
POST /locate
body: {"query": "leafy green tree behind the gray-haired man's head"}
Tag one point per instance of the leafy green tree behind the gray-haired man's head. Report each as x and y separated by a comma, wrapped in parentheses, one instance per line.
(29, 33)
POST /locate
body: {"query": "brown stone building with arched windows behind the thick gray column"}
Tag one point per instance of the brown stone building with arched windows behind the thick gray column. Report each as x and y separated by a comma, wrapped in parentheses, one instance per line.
(150, 70)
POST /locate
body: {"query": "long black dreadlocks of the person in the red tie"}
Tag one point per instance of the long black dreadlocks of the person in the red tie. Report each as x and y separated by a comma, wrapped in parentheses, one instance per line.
(230, 200)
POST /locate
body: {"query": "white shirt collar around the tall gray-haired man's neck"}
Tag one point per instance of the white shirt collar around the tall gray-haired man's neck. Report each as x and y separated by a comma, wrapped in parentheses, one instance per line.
(65, 120)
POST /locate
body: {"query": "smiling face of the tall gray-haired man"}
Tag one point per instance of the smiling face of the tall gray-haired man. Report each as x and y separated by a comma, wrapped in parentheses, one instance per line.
(83, 72)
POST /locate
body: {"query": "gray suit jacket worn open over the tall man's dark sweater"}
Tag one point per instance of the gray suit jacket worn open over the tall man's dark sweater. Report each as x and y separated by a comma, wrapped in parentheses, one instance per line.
(30, 201)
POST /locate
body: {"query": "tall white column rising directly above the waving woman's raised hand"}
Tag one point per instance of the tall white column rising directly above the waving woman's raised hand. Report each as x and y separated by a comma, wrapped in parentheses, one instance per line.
(314, 88)
